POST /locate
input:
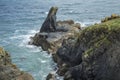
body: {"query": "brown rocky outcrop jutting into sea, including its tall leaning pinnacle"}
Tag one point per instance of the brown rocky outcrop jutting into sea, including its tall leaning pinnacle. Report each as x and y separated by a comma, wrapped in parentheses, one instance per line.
(50, 41)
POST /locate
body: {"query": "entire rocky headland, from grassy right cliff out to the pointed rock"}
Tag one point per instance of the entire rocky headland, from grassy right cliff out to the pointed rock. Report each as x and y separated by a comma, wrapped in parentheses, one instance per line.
(92, 53)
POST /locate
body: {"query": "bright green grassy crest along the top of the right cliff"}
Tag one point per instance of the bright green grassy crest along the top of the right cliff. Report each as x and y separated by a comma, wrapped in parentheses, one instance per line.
(101, 30)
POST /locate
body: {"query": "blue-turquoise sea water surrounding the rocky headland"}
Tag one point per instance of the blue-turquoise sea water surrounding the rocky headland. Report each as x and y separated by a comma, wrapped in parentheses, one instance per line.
(20, 19)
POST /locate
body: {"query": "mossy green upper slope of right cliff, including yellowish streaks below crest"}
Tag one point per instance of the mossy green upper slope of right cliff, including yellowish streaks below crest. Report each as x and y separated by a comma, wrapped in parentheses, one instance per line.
(98, 36)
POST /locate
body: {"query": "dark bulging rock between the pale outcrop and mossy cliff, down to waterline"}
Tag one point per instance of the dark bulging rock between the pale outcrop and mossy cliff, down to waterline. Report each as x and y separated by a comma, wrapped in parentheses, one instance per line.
(67, 54)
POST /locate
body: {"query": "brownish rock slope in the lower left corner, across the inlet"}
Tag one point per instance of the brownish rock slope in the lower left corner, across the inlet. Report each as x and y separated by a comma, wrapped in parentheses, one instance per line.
(8, 70)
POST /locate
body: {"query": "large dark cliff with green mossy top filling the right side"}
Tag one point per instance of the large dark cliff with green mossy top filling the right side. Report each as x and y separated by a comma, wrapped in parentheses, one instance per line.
(95, 55)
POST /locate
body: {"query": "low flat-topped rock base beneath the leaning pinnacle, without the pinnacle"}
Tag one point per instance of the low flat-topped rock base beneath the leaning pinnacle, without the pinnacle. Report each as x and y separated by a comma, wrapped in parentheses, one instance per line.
(52, 41)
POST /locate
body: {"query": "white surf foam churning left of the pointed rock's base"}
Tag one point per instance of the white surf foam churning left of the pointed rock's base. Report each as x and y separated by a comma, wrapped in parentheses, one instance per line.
(23, 38)
